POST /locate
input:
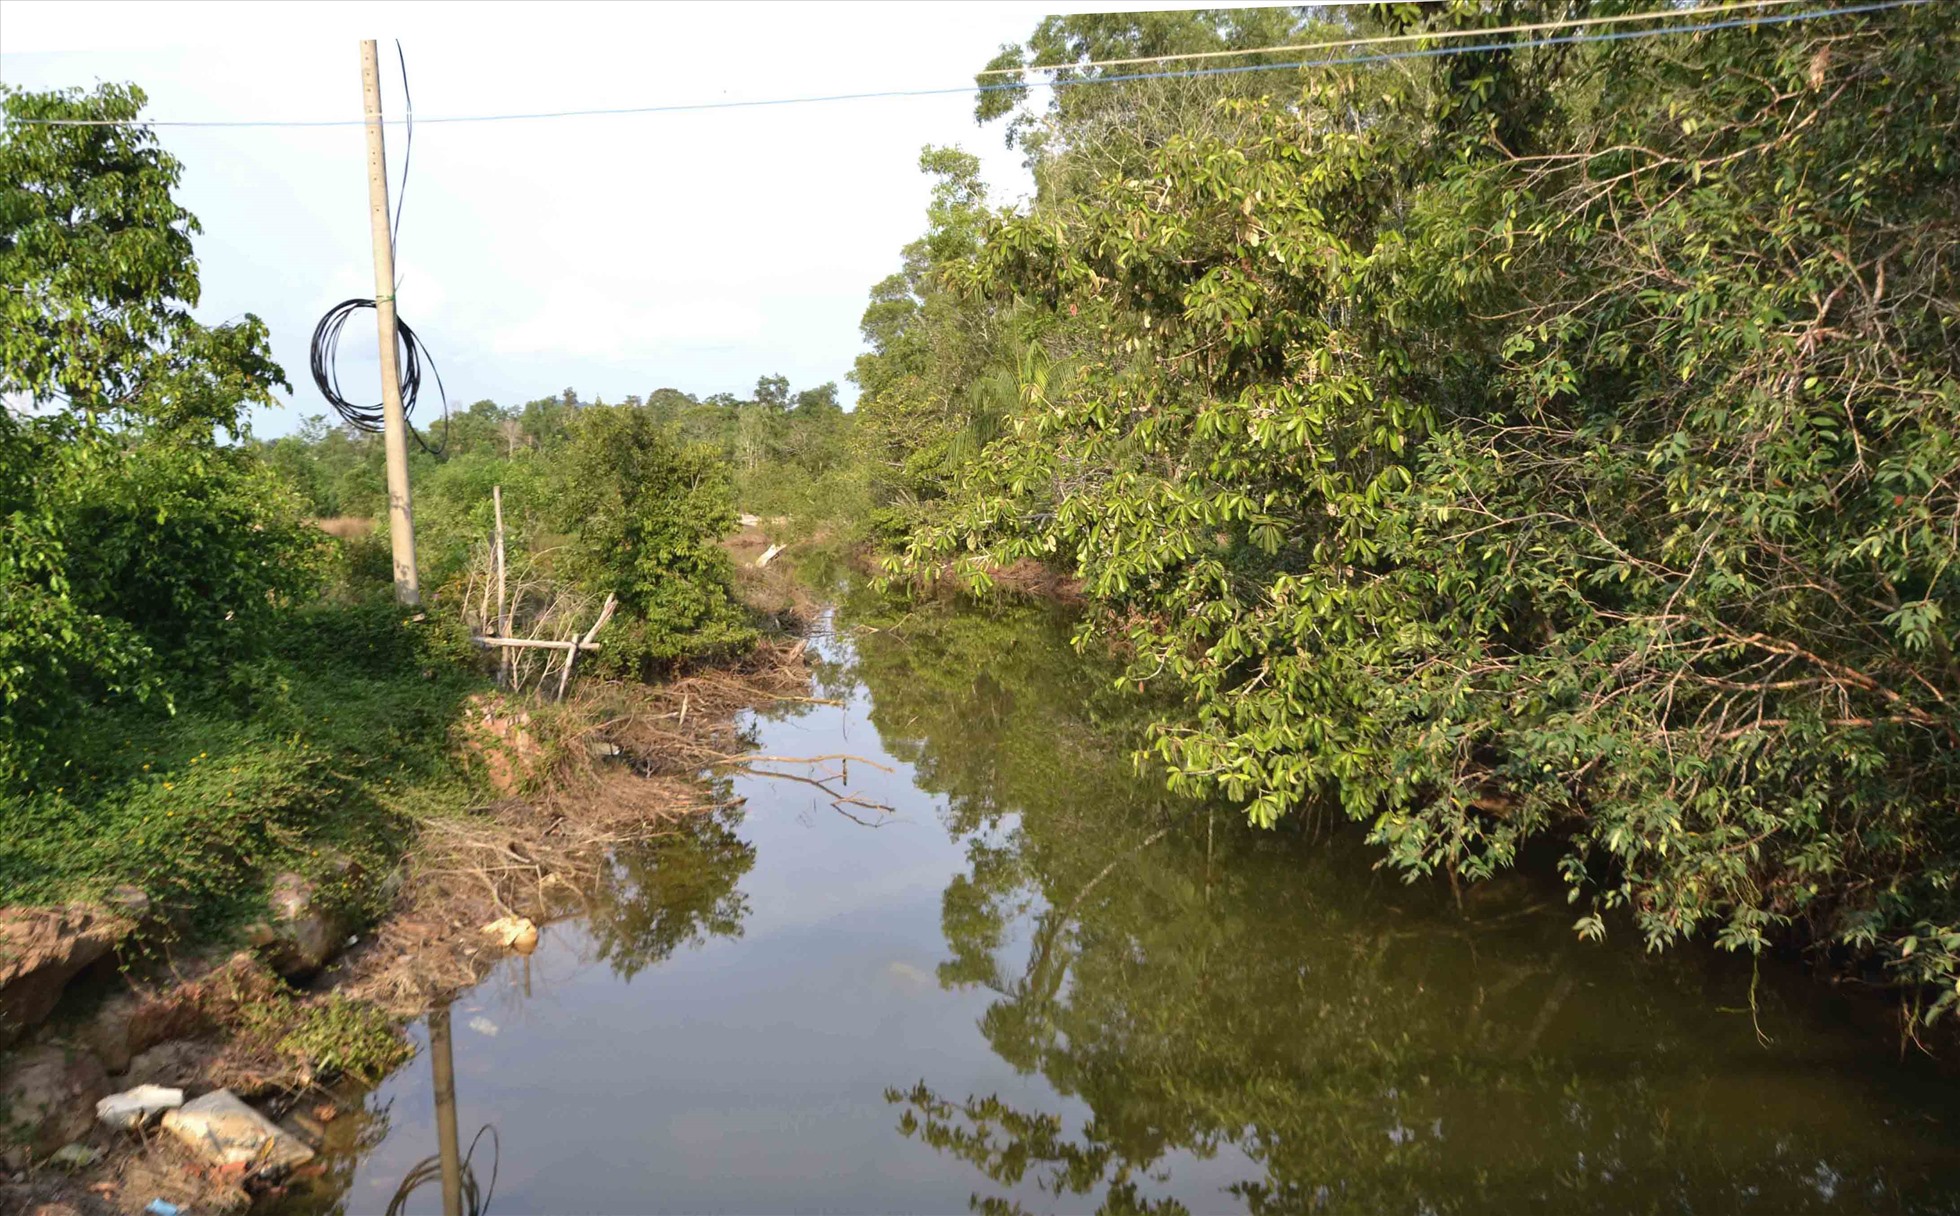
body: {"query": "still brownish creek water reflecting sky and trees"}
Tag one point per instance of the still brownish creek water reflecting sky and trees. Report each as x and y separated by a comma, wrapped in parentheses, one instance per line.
(1040, 982)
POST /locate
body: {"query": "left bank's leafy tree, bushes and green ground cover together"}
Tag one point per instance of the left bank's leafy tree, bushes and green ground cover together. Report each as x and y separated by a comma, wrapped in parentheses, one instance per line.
(179, 711)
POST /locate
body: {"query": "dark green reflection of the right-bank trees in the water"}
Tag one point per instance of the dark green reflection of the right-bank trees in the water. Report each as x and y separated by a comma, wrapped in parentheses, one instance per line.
(1361, 1044)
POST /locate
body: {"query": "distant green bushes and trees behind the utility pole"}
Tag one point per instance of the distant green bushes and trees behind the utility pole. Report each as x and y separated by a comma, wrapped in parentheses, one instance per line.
(609, 499)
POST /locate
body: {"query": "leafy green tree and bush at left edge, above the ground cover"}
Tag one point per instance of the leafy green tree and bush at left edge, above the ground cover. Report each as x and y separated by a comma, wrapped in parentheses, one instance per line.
(138, 554)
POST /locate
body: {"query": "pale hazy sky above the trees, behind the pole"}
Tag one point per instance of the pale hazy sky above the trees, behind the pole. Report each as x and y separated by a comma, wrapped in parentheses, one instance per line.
(609, 254)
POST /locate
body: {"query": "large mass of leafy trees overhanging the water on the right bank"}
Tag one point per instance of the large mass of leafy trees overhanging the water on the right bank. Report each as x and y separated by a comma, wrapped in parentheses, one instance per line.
(1540, 442)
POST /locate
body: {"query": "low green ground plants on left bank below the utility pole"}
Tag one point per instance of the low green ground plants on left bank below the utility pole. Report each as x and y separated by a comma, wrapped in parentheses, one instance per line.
(317, 752)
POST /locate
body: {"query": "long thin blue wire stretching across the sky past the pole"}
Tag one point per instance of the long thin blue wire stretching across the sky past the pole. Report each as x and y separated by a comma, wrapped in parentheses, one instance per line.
(979, 89)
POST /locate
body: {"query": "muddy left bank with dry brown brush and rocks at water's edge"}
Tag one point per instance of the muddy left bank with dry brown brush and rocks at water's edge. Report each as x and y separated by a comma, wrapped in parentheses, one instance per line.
(318, 997)
